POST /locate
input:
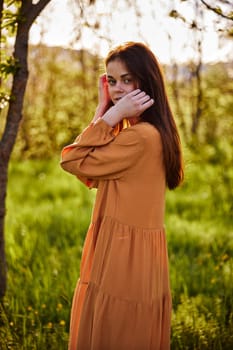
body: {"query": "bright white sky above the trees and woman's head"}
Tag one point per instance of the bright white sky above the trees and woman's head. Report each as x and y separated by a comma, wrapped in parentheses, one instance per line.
(170, 39)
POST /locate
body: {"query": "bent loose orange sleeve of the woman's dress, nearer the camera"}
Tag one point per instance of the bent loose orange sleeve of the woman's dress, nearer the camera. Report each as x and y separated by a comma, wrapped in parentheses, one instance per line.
(98, 154)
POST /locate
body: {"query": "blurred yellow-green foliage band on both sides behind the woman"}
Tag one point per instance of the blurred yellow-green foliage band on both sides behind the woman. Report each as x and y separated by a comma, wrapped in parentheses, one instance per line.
(62, 92)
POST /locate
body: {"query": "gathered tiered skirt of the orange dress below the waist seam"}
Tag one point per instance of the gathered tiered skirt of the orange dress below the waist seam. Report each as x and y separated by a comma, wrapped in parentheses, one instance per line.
(124, 288)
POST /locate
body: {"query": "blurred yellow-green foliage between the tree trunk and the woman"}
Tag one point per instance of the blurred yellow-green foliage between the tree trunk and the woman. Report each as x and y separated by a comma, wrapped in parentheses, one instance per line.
(60, 99)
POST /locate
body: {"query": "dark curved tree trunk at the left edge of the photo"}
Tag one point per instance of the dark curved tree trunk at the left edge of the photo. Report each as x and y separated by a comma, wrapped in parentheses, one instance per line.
(28, 13)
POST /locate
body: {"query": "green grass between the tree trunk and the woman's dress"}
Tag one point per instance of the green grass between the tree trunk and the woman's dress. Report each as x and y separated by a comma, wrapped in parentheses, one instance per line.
(48, 215)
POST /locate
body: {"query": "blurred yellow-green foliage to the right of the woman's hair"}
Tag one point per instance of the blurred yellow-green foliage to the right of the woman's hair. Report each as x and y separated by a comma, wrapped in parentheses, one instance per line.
(216, 105)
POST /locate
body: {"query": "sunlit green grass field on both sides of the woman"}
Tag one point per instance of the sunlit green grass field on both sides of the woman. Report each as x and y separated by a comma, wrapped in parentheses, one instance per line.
(48, 212)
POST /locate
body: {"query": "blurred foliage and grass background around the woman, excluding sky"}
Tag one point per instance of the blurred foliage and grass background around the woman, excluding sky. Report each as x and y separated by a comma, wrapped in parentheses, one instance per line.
(48, 211)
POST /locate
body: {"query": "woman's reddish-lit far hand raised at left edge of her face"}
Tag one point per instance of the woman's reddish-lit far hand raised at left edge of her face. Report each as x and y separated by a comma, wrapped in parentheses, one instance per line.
(104, 98)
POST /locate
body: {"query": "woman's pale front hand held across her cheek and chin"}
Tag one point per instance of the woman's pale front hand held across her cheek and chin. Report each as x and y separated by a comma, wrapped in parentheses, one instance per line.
(130, 106)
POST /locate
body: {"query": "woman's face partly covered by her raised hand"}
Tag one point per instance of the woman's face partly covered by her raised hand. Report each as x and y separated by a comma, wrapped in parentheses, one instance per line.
(120, 80)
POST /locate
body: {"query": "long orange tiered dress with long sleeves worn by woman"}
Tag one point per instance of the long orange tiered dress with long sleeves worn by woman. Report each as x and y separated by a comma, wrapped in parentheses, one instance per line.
(122, 300)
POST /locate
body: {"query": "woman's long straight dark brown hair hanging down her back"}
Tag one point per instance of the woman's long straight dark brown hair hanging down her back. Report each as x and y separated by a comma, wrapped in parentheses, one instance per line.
(144, 67)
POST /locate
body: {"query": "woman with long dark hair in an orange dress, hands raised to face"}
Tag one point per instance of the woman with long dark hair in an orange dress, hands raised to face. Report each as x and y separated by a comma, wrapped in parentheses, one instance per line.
(131, 152)
